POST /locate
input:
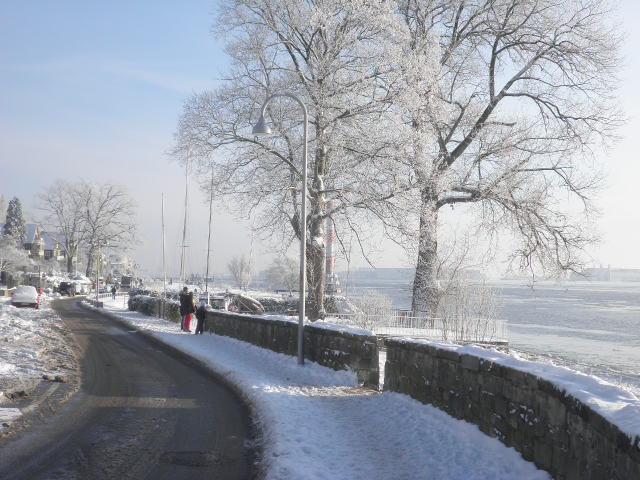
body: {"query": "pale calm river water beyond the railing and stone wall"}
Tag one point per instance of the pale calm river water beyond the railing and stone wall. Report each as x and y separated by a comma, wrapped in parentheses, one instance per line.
(592, 327)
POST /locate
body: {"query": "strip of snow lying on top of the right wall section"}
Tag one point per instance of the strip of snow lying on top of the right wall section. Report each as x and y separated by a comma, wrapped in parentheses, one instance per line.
(619, 406)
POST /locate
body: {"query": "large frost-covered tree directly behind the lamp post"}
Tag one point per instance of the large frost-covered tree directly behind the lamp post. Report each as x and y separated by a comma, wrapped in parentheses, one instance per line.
(330, 53)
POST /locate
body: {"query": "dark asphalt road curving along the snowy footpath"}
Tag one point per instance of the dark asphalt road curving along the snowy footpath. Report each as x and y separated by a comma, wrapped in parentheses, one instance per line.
(141, 412)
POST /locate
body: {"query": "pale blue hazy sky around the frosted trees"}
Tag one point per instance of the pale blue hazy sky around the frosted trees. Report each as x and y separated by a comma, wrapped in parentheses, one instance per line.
(94, 90)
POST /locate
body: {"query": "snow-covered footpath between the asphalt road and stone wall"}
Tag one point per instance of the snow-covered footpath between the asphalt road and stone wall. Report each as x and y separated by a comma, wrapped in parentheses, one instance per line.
(316, 423)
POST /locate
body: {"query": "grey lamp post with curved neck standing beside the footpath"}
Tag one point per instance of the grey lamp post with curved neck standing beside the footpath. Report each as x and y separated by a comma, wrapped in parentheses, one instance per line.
(260, 129)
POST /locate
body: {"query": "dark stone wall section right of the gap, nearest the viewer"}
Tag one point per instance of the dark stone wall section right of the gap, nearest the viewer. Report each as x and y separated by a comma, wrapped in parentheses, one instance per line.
(550, 428)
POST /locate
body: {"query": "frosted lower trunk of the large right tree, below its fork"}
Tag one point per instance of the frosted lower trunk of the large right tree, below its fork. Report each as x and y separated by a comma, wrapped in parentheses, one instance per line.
(425, 284)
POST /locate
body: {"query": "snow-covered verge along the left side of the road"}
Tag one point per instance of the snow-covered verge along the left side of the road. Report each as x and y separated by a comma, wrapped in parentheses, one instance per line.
(33, 343)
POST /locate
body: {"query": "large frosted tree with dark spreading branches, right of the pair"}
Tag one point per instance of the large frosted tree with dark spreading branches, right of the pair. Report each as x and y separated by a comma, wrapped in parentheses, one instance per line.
(523, 97)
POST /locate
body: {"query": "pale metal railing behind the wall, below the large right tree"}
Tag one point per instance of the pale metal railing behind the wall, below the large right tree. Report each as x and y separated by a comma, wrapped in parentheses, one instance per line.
(398, 323)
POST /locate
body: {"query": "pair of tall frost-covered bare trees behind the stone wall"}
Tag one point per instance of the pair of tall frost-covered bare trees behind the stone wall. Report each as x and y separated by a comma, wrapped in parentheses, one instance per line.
(415, 105)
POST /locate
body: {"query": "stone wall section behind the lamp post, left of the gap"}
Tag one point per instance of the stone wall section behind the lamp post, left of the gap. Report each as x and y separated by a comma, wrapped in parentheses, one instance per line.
(336, 349)
